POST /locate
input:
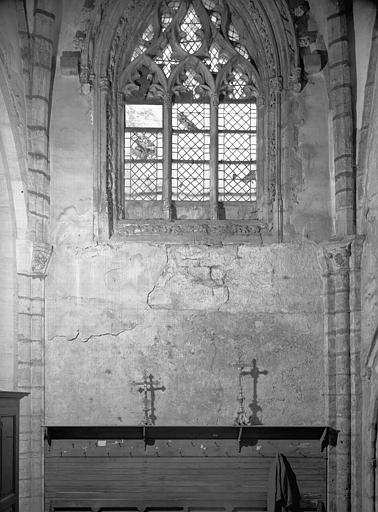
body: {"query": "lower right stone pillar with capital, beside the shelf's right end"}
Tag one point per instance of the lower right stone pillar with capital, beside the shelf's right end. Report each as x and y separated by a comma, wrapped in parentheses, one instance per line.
(341, 262)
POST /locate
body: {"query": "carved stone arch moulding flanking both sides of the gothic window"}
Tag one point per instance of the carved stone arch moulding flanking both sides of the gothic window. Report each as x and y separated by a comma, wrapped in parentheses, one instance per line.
(267, 31)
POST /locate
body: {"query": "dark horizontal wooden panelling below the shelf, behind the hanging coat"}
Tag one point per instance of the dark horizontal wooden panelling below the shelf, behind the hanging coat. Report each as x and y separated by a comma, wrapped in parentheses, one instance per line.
(80, 472)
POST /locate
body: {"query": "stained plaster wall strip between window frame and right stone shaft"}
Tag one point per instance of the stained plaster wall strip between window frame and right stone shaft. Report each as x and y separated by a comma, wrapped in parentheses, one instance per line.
(306, 176)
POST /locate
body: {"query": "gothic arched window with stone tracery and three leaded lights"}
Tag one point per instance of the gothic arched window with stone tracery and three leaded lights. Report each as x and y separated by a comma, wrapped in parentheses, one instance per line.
(188, 96)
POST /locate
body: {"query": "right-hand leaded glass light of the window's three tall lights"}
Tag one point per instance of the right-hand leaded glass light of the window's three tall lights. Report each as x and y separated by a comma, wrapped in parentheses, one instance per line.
(237, 152)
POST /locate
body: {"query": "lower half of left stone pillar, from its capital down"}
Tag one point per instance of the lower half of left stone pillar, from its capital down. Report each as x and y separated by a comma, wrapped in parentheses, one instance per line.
(31, 328)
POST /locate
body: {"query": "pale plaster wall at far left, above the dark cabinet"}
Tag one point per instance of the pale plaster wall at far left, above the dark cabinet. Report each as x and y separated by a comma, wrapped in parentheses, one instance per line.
(12, 203)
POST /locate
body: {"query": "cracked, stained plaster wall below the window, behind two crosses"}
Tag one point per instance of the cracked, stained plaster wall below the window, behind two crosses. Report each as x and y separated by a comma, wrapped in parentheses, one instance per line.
(115, 310)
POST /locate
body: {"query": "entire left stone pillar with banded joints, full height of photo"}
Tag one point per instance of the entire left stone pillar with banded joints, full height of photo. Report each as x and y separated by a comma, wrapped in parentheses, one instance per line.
(32, 270)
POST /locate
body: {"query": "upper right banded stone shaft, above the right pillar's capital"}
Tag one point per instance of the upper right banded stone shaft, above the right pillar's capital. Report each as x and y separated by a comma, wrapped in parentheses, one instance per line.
(343, 122)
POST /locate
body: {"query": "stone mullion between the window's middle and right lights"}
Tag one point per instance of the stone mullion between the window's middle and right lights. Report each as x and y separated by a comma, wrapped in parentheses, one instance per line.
(214, 210)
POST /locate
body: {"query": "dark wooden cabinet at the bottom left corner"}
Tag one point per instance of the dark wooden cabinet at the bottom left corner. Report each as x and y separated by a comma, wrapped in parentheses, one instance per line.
(9, 429)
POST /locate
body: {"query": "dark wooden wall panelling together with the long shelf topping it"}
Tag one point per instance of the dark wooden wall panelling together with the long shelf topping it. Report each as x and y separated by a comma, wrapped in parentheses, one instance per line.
(190, 469)
